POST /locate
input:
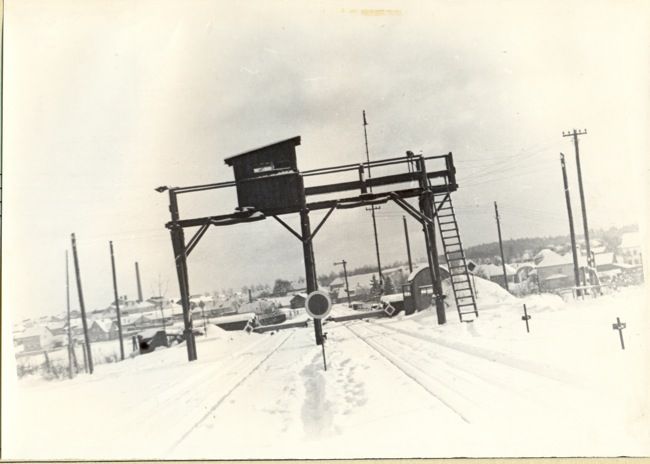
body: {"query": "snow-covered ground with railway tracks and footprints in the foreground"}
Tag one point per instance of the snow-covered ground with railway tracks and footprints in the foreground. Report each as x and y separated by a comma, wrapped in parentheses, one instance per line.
(400, 387)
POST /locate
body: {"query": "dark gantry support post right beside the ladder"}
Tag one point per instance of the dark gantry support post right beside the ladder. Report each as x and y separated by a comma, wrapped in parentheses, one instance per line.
(427, 209)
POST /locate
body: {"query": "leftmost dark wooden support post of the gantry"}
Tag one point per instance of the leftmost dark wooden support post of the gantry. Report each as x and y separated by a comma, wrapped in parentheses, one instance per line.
(180, 258)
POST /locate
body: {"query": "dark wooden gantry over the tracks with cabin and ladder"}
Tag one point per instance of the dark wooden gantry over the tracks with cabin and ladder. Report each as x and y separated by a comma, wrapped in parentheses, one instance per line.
(270, 185)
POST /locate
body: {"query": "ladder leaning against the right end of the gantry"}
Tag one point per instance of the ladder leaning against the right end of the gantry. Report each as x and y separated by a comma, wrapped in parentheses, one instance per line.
(455, 257)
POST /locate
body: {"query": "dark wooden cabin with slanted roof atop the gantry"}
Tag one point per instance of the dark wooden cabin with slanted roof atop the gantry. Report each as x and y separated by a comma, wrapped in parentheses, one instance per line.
(267, 178)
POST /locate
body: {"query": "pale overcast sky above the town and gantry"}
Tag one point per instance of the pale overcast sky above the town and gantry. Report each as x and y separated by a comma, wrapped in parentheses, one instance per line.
(105, 100)
